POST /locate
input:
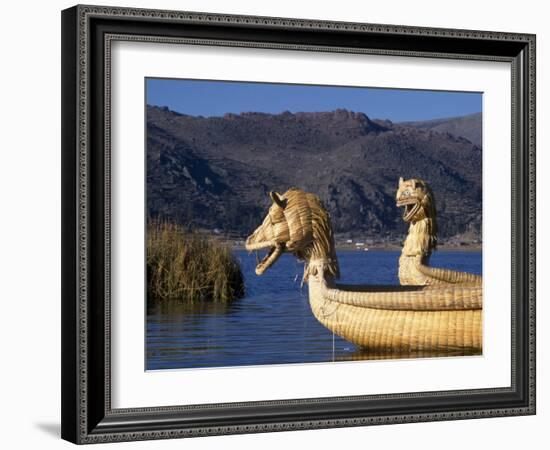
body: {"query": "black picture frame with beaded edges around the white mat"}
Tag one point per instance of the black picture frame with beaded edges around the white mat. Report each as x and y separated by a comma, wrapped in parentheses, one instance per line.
(87, 416)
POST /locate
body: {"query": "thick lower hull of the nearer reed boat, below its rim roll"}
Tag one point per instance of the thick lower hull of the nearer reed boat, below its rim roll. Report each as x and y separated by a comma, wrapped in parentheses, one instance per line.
(399, 330)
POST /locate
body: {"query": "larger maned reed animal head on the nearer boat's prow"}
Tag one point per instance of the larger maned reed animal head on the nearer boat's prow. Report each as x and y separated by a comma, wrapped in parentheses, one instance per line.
(298, 223)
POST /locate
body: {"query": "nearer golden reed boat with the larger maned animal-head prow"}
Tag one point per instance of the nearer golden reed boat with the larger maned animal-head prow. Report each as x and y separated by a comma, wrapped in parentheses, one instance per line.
(441, 318)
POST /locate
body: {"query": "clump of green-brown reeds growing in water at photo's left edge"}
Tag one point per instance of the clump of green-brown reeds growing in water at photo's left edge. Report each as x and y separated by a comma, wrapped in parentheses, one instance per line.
(186, 266)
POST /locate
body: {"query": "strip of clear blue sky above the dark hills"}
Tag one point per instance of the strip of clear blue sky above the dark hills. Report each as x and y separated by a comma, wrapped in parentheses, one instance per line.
(215, 98)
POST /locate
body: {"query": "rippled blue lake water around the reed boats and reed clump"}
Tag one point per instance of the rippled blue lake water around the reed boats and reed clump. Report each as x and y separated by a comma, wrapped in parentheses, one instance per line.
(273, 324)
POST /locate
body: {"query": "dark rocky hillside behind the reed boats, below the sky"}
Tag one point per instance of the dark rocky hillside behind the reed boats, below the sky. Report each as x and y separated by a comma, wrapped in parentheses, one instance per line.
(215, 173)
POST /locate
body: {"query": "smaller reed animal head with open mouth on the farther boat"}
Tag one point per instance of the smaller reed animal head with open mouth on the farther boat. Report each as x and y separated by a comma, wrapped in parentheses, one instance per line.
(418, 201)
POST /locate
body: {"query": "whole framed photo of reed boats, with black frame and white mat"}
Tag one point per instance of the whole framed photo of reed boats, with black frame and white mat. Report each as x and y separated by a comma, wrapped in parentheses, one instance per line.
(279, 224)
